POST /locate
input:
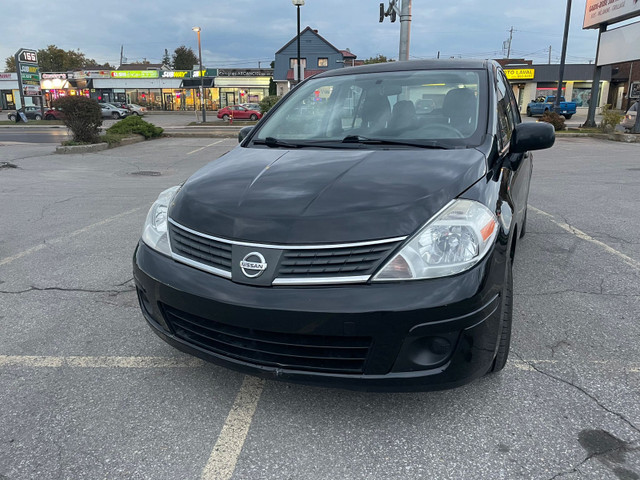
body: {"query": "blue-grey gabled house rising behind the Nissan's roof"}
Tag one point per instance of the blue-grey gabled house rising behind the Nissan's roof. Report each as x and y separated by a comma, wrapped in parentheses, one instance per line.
(316, 55)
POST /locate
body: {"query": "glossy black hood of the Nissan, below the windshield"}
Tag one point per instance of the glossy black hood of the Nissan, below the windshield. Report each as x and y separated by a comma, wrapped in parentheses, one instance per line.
(308, 196)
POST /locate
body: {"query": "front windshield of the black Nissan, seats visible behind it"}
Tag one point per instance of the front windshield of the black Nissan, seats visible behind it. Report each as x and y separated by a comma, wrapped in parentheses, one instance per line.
(422, 107)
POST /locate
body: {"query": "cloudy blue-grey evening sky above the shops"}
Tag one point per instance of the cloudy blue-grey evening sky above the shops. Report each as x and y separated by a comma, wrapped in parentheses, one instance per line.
(247, 33)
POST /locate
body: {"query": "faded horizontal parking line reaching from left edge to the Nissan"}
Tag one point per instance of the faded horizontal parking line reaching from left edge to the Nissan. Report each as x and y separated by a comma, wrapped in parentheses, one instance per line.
(32, 361)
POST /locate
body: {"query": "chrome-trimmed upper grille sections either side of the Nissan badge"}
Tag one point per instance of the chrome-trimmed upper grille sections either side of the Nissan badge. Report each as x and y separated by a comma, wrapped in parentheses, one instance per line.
(299, 264)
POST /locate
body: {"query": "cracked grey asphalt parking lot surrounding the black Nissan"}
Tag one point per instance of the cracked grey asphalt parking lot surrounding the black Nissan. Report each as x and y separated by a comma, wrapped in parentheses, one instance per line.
(87, 391)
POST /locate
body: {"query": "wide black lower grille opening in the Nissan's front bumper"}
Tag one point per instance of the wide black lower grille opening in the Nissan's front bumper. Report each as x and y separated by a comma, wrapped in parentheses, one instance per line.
(321, 353)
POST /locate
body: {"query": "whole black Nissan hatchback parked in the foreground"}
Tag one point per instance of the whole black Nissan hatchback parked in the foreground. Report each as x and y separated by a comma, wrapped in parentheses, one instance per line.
(350, 240)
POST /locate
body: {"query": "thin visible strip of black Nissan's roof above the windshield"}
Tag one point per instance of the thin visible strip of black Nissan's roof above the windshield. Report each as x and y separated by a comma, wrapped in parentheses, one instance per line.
(441, 64)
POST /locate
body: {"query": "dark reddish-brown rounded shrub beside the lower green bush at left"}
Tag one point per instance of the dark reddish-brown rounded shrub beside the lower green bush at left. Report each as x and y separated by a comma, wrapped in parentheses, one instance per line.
(82, 116)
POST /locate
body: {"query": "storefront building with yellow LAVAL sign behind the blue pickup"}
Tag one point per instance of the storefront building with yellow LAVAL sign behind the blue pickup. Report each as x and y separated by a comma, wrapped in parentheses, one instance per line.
(531, 81)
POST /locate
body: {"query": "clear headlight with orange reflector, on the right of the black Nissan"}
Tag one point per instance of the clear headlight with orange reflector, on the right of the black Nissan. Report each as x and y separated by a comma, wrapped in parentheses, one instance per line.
(453, 241)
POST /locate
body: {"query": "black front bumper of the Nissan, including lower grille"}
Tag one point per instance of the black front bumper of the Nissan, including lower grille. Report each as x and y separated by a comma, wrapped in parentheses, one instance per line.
(418, 335)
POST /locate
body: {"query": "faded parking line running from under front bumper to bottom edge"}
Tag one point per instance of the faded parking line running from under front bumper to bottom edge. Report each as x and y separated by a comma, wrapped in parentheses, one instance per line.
(224, 457)
